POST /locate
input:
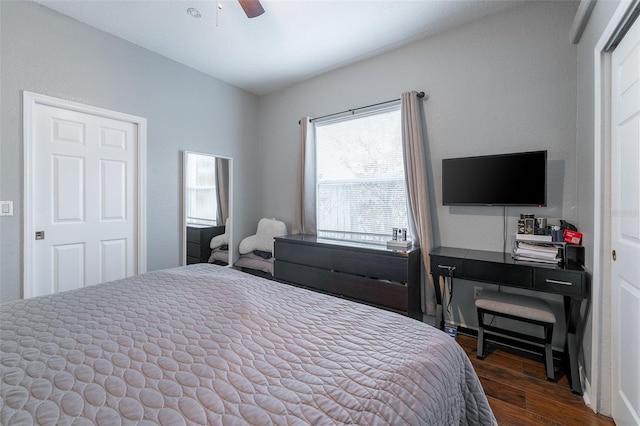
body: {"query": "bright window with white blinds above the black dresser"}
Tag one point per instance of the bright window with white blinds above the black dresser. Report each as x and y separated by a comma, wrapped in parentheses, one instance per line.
(361, 192)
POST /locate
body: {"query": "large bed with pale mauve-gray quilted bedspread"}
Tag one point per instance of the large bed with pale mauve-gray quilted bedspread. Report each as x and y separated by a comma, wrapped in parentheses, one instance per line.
(205, 344)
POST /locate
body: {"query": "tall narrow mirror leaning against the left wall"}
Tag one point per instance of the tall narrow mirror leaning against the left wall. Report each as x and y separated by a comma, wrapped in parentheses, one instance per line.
(207, 196)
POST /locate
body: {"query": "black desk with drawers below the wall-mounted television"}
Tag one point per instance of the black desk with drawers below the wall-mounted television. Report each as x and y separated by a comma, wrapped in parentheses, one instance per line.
(570, 281)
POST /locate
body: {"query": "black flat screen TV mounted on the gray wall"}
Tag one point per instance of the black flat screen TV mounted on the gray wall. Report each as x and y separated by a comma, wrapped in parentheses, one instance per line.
(517, 179)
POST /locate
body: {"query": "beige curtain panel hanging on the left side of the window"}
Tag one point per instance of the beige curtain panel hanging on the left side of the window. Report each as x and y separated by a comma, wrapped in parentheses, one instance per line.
(304, 221)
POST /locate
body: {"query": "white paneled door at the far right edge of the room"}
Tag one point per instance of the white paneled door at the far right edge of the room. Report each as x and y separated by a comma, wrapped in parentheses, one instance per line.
(625, 223)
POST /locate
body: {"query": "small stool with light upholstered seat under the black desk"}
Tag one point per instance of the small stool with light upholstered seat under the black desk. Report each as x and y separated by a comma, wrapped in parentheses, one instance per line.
(521, 308)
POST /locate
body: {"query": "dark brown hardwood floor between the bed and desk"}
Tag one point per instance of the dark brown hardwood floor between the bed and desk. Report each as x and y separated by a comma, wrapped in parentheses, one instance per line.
(520, 394)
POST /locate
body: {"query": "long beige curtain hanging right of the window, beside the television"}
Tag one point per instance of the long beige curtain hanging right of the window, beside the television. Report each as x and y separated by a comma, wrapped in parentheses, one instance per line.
(415, 167)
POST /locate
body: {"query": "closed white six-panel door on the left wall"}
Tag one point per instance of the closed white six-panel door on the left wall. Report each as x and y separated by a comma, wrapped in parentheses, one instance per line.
(83, 220)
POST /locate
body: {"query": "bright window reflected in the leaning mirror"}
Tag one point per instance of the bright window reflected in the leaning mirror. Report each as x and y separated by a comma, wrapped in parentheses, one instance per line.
(201, 190)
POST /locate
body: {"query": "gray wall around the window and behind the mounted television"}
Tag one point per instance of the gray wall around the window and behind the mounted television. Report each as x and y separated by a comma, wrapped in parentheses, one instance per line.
(505, 83)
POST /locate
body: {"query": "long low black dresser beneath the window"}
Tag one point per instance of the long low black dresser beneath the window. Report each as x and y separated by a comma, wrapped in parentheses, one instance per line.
(389, 279)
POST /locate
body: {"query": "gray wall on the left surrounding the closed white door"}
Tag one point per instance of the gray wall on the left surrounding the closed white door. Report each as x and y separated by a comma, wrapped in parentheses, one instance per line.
(48, 53)
